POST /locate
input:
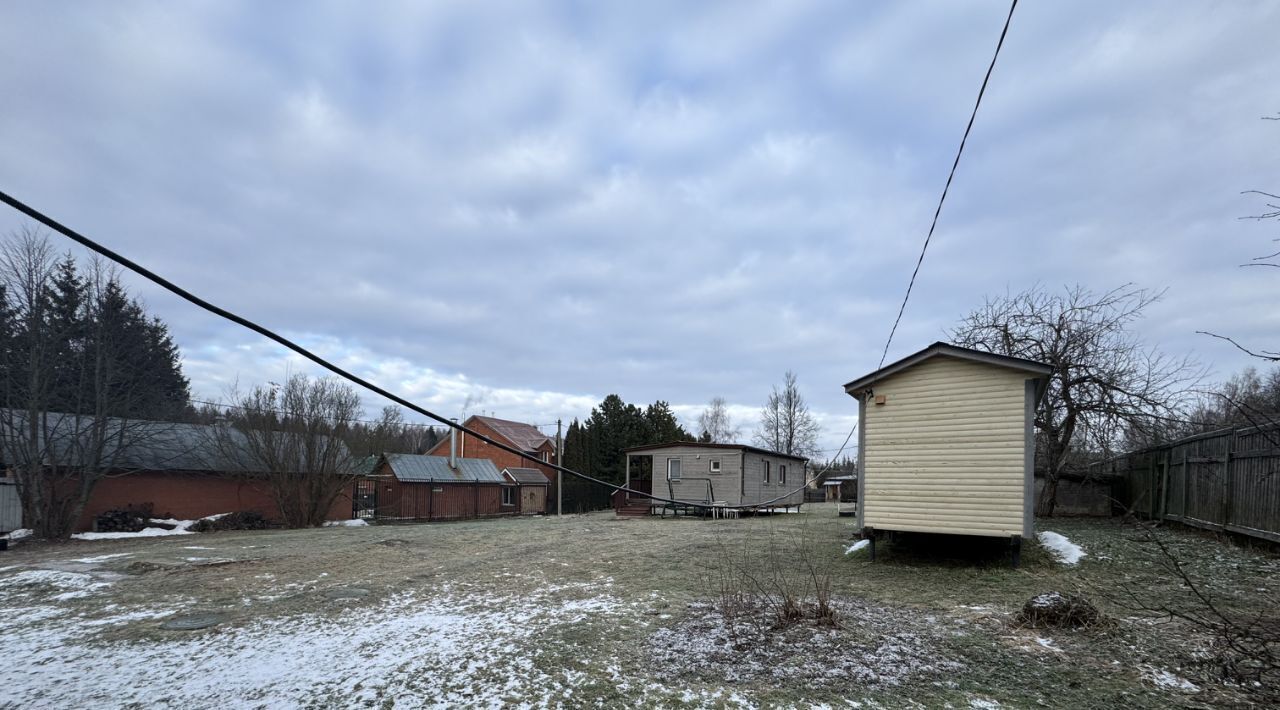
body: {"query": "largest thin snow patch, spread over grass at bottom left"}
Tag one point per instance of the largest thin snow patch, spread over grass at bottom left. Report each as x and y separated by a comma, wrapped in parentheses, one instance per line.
(447, 651)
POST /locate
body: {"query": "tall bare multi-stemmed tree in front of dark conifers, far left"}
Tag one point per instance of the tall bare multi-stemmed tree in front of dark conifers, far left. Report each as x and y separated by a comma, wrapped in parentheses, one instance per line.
(75, 381)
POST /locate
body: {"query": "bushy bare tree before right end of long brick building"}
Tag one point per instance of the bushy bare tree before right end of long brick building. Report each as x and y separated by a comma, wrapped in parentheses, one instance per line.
(294, 438)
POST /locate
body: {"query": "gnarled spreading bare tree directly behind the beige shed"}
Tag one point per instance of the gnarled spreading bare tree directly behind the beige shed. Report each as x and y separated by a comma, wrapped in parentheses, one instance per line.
(1105, 386)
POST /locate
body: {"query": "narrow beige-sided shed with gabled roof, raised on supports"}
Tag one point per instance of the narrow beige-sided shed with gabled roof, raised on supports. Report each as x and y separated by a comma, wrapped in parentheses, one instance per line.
(947, 443)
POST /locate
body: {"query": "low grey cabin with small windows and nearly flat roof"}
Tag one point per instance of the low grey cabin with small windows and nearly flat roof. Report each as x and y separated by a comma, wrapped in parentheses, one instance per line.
(732, 475)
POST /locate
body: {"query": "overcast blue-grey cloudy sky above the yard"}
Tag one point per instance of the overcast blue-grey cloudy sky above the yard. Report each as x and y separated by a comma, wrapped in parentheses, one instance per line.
(537, 205)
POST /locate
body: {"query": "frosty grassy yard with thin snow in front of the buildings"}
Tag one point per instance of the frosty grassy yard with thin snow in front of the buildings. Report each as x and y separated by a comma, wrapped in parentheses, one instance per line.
(593, 611)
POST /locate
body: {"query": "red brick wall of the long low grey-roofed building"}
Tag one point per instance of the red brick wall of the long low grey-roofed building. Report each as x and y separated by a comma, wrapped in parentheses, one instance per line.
(189, 497)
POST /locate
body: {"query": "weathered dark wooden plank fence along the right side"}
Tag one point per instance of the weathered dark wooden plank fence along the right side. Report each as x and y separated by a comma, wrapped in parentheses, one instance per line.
(1226, 480)
